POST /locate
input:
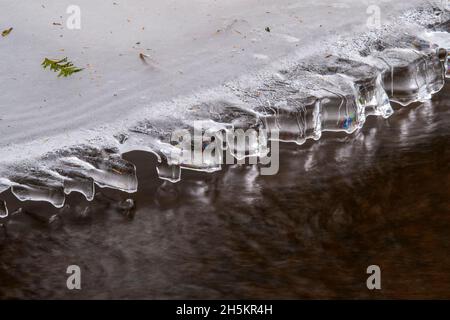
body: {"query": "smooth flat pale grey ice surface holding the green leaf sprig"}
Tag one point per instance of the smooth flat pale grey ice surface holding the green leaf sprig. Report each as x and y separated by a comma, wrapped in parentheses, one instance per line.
(191, 46)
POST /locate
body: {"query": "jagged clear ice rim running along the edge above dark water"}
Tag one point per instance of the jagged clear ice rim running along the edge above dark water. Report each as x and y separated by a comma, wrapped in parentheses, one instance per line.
(300, 100)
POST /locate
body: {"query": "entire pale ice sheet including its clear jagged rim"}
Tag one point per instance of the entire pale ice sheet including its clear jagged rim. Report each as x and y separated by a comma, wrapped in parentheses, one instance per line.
(319, 69)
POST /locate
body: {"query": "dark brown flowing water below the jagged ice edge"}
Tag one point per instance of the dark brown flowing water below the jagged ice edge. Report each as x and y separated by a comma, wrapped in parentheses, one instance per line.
(380, 196)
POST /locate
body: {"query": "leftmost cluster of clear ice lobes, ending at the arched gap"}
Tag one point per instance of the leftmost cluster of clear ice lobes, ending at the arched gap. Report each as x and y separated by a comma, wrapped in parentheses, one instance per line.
(71, 170)
